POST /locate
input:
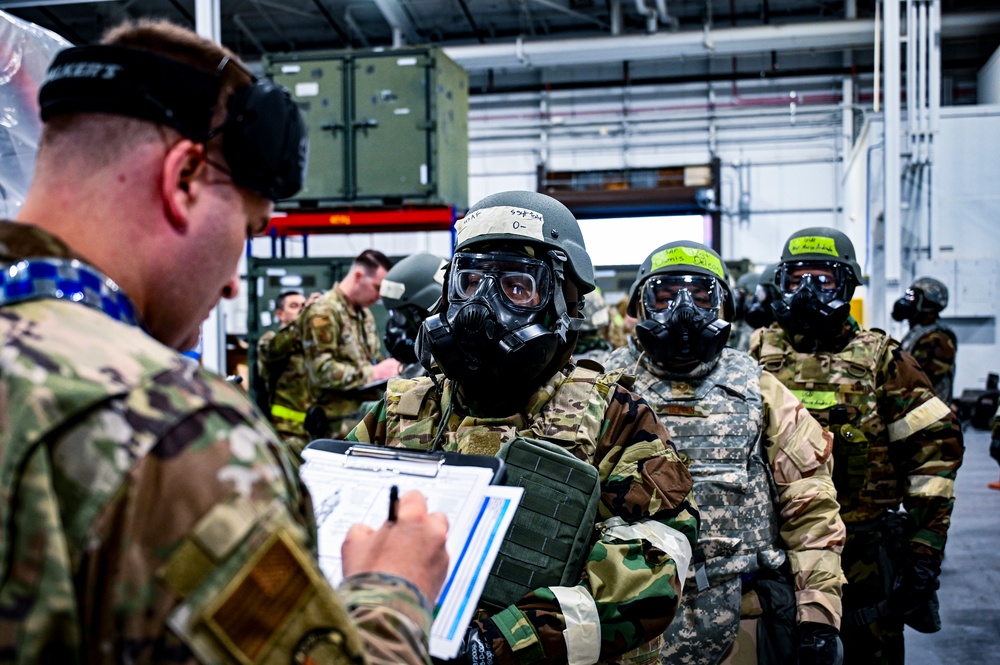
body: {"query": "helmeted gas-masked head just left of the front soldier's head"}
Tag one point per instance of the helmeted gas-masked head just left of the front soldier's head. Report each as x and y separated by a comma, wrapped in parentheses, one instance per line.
(410, 291)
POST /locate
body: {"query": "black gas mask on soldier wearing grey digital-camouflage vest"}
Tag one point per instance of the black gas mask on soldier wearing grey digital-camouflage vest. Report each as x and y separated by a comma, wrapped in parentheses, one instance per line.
(682, 329)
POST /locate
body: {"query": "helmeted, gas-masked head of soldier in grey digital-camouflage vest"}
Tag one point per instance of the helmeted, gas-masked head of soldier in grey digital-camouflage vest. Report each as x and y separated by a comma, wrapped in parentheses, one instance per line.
(681, 295)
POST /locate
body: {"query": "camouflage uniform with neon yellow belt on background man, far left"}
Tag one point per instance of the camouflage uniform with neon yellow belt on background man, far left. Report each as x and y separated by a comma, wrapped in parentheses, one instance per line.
(281, 365)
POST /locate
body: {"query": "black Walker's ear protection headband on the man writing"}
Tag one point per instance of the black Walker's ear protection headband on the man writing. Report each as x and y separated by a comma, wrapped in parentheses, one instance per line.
(263, 137)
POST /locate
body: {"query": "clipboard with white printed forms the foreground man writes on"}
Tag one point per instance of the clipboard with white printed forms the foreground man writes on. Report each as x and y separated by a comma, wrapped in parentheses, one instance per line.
(350, 484)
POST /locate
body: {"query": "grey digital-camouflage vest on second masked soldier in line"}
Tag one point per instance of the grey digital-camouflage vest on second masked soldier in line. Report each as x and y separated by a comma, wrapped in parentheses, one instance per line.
(716, 422)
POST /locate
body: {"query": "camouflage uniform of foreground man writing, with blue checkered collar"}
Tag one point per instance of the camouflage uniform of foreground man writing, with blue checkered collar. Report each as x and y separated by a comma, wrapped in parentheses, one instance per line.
(149, 514)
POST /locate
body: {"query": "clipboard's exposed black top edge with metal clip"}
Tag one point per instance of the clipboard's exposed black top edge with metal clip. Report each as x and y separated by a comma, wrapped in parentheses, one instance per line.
(366, 457)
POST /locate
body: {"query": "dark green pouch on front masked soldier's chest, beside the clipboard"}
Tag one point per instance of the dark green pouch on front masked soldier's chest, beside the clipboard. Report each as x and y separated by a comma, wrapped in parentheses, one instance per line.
(550, 537)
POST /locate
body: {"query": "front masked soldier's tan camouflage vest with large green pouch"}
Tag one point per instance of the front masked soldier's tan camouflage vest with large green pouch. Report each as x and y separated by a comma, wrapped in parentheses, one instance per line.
(549, 451)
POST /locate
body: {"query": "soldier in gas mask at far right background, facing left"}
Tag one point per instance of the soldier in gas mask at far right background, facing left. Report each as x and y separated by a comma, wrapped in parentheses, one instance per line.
(929, 340)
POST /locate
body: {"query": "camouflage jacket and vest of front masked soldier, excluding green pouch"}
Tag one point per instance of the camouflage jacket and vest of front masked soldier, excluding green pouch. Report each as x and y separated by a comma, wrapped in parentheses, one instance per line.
(647, 517)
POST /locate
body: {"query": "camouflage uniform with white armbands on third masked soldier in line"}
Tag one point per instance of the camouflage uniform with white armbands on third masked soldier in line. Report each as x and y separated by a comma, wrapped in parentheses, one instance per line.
(894, 442)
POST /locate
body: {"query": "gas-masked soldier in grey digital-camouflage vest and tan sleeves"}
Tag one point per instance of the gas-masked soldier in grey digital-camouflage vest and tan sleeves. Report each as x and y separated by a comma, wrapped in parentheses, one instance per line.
(741, 430)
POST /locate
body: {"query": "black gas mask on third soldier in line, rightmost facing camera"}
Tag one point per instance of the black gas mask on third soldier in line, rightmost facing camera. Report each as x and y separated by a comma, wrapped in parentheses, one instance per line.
(813, 305)
